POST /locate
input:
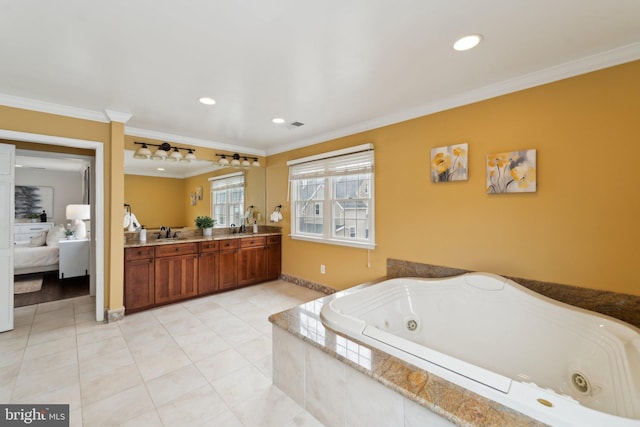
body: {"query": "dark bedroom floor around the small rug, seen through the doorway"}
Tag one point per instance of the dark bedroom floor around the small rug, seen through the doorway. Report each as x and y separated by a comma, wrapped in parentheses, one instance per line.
(52, 288)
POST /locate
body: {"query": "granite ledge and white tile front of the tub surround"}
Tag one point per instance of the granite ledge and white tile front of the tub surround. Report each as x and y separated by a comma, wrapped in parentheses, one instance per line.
(338, 380)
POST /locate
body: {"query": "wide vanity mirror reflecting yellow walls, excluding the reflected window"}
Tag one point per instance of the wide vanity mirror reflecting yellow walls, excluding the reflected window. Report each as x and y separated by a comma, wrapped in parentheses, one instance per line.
(165, 197)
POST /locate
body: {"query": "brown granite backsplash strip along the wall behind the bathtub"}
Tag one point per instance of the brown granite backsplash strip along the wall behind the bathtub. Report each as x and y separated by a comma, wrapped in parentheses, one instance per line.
(620, 306)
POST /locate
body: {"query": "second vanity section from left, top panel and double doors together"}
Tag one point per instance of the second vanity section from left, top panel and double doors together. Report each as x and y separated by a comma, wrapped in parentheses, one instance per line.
(176, 271)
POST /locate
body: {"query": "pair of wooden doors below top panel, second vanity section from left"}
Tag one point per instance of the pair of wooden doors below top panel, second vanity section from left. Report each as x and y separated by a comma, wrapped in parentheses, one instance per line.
(176, 278)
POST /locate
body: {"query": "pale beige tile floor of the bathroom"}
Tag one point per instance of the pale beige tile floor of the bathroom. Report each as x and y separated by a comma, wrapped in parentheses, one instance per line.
(204, 362)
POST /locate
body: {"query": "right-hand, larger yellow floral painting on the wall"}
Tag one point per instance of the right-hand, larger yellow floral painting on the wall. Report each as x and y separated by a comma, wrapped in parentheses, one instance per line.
(511, 172)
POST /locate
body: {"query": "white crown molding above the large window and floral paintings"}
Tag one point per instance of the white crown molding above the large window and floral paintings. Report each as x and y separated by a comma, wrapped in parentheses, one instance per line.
(566, 70)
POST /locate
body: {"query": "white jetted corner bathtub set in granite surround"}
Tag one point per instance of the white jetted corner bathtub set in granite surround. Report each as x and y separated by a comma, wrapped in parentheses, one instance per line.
(554, 362)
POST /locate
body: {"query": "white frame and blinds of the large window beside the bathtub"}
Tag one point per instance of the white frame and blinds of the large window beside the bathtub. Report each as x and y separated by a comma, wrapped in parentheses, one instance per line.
(326, 169)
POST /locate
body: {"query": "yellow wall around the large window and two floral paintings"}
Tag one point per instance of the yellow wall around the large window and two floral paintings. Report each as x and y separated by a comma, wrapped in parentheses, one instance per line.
(579, 228)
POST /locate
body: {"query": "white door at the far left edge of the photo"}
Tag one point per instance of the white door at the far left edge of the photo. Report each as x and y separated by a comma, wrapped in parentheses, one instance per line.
(7, 182)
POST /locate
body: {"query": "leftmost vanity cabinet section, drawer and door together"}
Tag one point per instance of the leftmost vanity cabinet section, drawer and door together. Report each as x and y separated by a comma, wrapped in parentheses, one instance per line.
(139, 278)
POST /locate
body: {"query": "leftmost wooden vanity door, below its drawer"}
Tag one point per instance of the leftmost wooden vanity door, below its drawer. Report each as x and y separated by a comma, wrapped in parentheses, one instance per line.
(139, 279)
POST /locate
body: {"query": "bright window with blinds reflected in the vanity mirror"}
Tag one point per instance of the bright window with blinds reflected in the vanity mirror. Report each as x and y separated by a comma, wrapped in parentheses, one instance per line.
(227, 199)
